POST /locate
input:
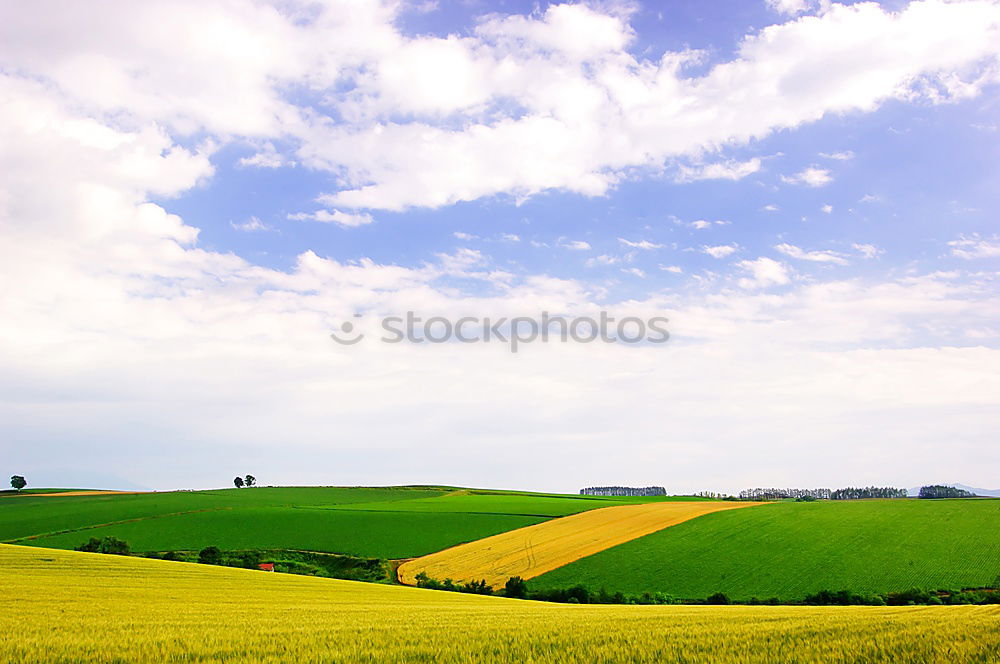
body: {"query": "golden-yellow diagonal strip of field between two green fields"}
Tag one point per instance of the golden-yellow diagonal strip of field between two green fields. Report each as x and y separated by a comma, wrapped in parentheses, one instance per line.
(535, 550)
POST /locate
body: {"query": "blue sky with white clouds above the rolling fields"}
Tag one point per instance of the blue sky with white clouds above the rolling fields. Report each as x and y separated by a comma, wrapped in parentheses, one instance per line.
(194, 196)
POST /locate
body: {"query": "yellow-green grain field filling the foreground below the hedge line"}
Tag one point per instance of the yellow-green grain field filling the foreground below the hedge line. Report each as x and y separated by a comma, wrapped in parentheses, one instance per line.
(64, 606)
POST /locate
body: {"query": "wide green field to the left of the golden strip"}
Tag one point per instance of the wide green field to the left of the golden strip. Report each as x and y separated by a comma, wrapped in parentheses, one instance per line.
(374, 522)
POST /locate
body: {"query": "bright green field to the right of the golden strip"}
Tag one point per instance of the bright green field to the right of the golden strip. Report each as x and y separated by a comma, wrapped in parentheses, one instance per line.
(788, 550)
